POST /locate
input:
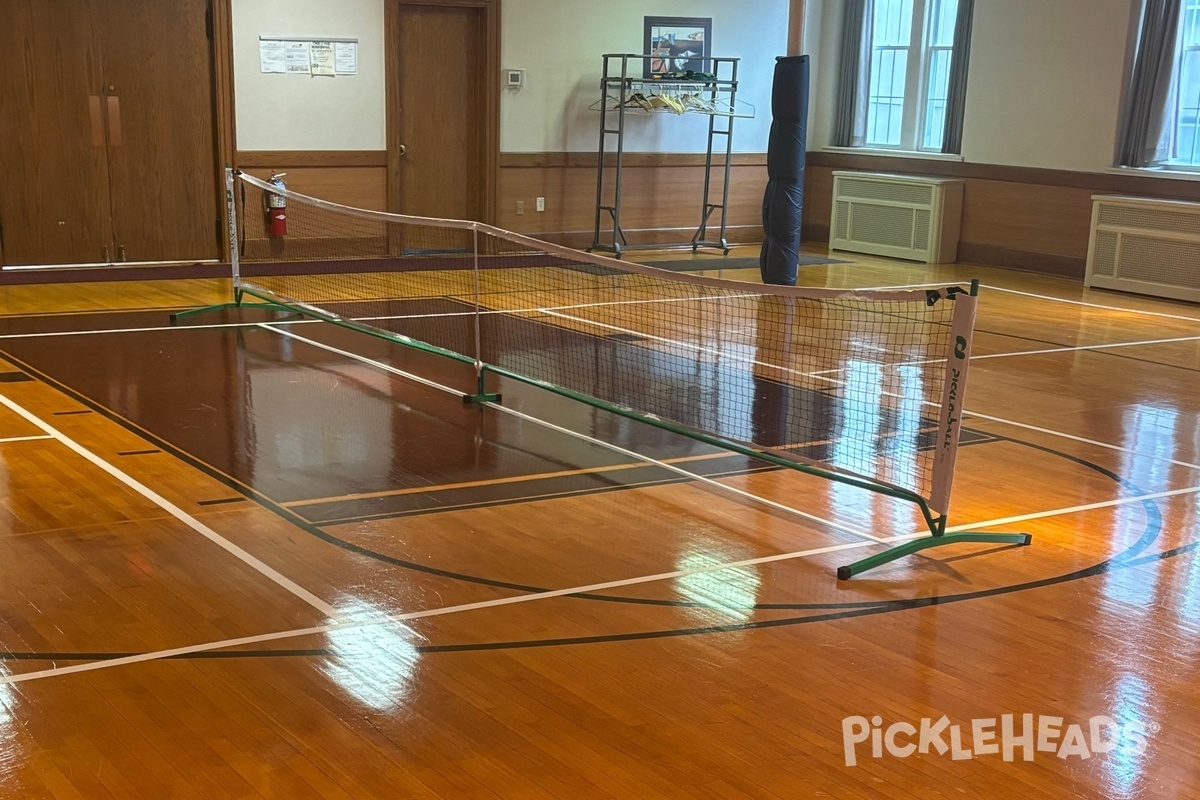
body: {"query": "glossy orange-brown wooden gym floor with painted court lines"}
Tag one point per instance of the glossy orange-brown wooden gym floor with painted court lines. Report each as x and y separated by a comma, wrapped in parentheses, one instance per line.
(237, 564)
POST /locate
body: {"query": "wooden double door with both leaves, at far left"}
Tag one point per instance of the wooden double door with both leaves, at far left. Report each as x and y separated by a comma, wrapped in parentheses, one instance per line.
(107, 123)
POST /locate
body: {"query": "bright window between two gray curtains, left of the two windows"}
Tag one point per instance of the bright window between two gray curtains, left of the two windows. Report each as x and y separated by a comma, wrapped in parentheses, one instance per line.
(911, 44)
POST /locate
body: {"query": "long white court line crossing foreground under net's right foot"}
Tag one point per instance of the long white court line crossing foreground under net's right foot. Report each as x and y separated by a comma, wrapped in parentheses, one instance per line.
(208, 647)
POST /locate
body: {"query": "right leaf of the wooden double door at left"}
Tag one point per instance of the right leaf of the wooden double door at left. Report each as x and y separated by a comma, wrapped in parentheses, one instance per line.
(159, 101)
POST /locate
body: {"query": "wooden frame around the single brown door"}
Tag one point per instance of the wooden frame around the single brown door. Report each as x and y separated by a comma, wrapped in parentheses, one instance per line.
(491, 10)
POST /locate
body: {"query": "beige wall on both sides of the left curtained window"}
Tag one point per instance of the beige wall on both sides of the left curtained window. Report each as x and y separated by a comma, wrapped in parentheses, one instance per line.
(1045, 88)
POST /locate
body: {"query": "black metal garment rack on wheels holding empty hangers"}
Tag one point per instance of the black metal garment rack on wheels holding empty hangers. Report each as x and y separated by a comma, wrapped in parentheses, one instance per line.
(619, 91)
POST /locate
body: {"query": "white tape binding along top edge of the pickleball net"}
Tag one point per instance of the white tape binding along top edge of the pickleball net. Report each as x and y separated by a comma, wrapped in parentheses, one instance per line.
(579, 257)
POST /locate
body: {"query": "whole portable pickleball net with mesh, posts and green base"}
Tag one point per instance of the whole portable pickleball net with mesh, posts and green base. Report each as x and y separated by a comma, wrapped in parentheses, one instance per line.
(863, 388)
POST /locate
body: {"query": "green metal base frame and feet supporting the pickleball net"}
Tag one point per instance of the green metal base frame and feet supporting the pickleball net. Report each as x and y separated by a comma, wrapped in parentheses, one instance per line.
(937, 522)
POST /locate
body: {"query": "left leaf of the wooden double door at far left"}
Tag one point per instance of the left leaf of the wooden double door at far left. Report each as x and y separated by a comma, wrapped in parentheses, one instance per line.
(55, 203)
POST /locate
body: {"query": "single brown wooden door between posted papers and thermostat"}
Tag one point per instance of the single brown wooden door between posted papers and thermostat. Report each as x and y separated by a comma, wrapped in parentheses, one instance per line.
(442, 113)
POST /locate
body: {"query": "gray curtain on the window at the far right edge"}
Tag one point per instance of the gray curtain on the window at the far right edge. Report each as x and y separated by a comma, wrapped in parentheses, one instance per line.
(1148, 125)
